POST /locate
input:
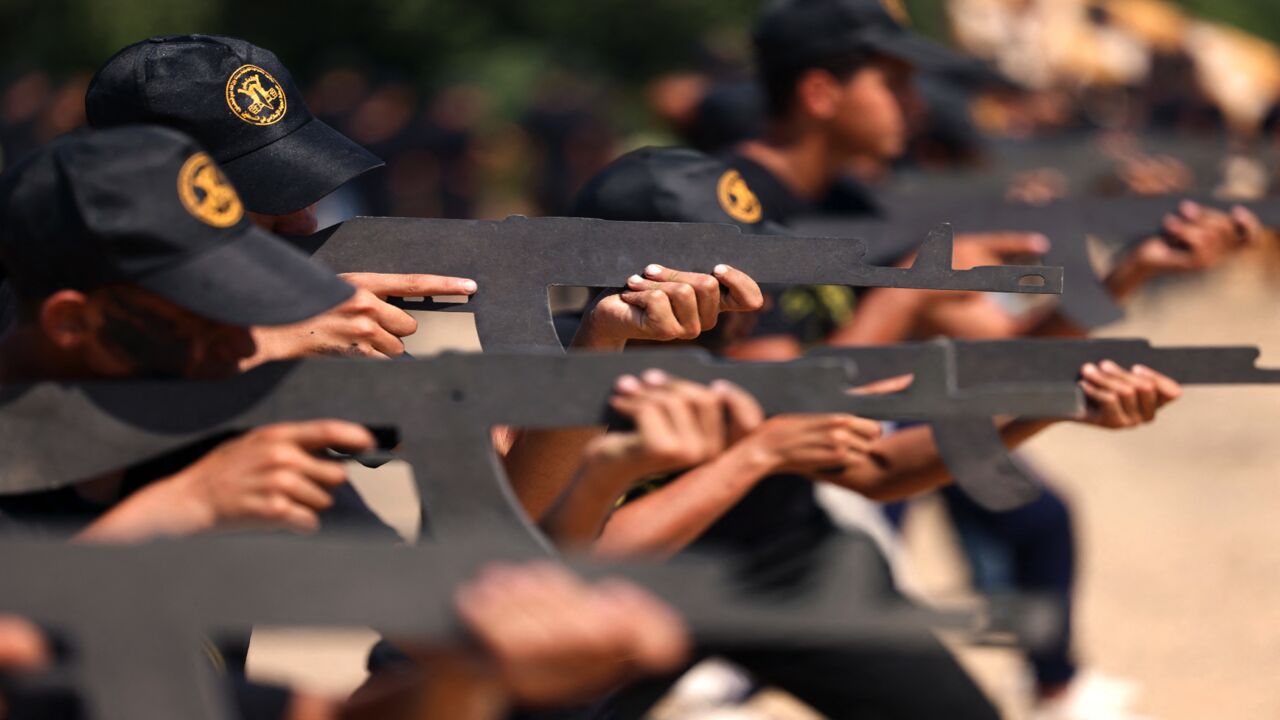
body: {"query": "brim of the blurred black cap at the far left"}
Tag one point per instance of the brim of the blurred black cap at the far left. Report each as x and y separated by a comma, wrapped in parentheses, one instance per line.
(255, 280)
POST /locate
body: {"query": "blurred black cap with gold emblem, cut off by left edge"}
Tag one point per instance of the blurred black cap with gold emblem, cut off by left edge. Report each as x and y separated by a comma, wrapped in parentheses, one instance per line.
(147, 207)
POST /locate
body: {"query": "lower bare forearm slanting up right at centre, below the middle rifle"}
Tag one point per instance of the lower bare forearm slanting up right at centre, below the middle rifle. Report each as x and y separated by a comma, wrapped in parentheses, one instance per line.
(668, 521)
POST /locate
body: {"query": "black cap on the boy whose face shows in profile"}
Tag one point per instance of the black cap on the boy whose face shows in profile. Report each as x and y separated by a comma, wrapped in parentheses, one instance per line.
(792, 34)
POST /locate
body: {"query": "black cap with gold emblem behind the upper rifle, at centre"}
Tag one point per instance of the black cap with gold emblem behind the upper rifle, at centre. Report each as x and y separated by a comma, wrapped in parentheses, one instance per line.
(670, 185)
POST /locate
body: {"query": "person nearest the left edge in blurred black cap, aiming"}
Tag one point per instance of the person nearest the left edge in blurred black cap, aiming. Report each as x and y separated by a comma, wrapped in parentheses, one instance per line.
(131, 256)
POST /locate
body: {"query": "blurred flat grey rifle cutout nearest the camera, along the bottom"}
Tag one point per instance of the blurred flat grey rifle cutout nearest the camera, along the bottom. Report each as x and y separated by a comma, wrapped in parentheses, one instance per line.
(135, 617)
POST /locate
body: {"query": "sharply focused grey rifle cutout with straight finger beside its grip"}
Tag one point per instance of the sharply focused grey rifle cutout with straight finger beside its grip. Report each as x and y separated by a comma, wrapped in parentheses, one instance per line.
(516, 261)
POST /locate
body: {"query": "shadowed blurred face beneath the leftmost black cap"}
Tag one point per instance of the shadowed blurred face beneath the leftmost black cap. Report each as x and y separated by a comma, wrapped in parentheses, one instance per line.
(126, 332)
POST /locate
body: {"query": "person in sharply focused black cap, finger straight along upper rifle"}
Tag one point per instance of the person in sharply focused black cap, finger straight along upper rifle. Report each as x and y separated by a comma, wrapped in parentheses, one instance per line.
(241, 102)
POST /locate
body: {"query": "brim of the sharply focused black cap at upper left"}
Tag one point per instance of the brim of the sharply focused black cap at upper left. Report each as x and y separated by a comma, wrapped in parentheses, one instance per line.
(299, 170)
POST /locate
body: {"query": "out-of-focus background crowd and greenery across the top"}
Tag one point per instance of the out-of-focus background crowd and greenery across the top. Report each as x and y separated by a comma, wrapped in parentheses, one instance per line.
(486, 110)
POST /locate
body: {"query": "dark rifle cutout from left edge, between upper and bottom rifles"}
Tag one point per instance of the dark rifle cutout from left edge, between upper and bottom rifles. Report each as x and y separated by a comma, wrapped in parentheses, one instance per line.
(442, 411)
